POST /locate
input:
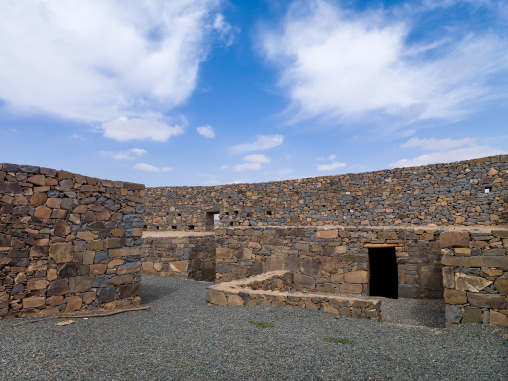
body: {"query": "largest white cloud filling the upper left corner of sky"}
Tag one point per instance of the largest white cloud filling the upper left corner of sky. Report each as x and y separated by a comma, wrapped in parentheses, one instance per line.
(97, 60)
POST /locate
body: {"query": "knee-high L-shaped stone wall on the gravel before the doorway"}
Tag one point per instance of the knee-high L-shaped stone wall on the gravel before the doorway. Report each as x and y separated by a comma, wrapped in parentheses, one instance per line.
(271, 289)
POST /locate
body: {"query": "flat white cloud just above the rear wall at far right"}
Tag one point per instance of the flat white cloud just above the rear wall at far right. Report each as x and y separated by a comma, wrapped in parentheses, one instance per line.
(445, 151)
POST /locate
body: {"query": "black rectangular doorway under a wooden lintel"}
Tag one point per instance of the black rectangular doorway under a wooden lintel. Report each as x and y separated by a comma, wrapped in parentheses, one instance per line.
(384, 279)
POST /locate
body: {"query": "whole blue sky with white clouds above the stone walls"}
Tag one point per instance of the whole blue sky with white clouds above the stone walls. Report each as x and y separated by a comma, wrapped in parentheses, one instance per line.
(206, 92)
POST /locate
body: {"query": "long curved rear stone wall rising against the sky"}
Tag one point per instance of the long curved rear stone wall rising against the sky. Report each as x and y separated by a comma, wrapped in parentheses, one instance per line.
(441, 194)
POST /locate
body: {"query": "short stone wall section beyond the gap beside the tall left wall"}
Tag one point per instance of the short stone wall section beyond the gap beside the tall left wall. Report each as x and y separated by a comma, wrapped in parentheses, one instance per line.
(190, 255)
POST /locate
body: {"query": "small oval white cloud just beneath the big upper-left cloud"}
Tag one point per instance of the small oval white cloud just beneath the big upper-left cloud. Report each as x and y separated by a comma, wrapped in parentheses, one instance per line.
(124, 129)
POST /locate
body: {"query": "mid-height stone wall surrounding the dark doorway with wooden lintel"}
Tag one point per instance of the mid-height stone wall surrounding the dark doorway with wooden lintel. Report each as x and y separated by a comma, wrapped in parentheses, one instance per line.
(332, 259)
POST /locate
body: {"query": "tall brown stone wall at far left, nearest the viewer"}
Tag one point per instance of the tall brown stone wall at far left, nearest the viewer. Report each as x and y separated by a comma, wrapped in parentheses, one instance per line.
(67, 242)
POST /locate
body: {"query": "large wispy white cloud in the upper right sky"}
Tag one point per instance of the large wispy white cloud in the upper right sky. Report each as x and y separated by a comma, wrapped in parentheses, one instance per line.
(341, 66)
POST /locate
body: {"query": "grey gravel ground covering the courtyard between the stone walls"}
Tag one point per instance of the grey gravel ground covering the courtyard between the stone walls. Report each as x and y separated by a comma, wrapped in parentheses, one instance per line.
(185, 339)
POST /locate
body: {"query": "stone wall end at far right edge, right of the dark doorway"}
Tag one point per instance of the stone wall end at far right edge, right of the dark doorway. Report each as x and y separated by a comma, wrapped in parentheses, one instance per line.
(475, 276)
